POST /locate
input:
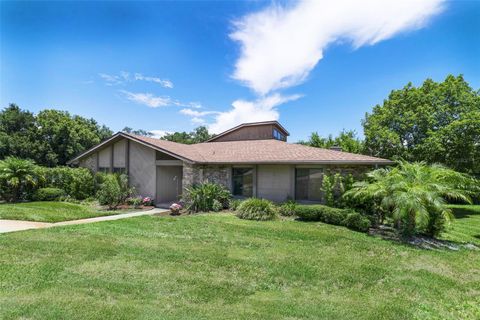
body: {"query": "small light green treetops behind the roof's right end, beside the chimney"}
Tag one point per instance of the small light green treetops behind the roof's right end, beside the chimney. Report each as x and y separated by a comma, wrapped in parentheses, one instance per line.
(347, 140)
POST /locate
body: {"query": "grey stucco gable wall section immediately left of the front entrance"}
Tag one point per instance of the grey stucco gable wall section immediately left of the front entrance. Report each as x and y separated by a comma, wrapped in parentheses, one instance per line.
(142, 169)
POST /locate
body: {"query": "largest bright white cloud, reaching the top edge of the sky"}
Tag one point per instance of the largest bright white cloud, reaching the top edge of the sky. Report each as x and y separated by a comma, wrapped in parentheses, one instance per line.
(280, 45)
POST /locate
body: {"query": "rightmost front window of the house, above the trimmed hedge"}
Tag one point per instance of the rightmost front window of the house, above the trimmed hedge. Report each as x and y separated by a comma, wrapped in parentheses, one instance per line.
(308, 183)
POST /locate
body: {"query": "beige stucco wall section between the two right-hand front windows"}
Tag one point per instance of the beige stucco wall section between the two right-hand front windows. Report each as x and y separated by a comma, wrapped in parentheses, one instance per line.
(274, 182)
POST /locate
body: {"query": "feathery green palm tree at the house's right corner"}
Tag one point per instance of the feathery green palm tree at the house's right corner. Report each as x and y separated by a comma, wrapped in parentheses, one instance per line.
(415, 194)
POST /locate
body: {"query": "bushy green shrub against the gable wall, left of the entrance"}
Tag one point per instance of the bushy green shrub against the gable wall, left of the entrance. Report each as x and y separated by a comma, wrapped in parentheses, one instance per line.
(114, 190)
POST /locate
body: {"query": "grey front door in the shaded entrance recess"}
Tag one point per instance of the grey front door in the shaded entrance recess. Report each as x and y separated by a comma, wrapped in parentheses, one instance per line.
(169, 184)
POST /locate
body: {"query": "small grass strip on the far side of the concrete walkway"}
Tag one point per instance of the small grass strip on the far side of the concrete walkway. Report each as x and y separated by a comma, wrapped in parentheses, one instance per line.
(49, 211)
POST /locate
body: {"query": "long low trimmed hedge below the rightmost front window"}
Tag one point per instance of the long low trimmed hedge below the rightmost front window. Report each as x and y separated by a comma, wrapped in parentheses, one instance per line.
(340, 217)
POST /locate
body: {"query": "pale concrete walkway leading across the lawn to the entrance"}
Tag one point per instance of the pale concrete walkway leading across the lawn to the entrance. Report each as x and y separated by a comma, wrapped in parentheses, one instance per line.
(17, 225)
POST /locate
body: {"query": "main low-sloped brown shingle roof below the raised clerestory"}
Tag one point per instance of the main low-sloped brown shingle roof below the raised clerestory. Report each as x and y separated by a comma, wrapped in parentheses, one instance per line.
(257, 151)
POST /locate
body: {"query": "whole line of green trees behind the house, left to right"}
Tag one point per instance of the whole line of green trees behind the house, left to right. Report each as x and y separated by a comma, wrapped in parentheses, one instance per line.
(437, 122)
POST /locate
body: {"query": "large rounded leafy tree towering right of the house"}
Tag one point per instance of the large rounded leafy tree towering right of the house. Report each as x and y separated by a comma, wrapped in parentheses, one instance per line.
(436, 122)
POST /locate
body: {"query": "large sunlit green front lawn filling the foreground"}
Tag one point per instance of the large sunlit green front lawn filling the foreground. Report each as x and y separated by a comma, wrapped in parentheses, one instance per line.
(216, 266)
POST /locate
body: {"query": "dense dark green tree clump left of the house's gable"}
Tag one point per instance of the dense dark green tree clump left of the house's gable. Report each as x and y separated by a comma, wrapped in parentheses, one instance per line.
(50, 138)
